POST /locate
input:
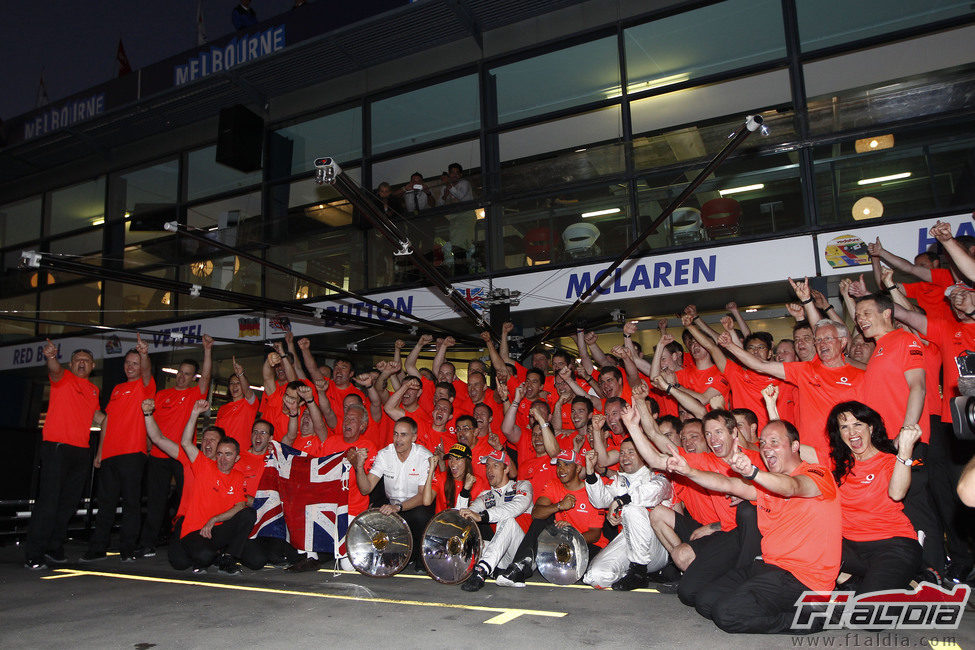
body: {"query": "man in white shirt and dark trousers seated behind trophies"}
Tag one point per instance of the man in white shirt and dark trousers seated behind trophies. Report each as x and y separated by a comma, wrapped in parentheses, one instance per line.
(403, 467)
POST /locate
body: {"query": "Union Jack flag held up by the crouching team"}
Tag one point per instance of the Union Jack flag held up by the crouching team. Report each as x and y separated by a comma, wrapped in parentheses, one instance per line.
(304, 500)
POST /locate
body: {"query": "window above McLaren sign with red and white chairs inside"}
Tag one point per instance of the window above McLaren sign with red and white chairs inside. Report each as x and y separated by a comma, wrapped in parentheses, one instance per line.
(746, 196)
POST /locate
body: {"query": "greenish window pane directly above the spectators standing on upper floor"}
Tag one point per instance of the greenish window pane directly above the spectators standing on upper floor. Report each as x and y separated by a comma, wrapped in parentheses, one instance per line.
(426, 114)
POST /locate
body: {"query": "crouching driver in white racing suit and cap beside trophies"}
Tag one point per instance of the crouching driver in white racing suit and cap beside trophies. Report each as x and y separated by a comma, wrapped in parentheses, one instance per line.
(499, 505)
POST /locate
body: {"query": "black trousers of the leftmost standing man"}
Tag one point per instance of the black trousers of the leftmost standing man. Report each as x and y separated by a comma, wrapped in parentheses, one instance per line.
(64, 469)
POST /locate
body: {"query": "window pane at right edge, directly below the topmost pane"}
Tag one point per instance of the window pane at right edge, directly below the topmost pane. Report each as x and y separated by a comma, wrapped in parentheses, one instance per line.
(879, 66)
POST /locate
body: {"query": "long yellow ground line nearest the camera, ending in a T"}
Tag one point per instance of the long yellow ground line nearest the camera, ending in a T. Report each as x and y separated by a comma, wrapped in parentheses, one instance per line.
(502, 614)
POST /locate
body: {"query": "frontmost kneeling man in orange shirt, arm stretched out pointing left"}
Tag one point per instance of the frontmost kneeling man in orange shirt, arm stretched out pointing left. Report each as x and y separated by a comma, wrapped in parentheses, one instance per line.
(801, 524)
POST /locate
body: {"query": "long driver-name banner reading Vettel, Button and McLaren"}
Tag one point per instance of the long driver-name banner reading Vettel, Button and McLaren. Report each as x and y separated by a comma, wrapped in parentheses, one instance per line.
(707, 268)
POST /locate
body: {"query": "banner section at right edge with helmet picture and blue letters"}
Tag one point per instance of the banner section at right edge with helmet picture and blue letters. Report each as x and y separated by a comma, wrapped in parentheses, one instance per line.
(845, 251)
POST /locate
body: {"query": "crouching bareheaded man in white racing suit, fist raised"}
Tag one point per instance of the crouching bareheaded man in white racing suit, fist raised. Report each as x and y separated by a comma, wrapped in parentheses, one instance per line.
(626, 561)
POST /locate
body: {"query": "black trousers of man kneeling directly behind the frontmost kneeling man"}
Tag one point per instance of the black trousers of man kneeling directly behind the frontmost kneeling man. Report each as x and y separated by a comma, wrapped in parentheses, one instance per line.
(715, 554)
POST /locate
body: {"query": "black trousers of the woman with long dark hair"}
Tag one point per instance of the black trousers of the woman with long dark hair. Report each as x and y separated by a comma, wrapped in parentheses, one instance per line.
(881, 564)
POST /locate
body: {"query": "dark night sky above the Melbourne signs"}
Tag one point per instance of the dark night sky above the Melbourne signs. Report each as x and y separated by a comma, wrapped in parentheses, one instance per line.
(74, 43)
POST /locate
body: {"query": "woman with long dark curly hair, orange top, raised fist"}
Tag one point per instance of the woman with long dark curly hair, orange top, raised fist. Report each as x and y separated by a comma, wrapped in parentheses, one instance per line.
(880, 546)
